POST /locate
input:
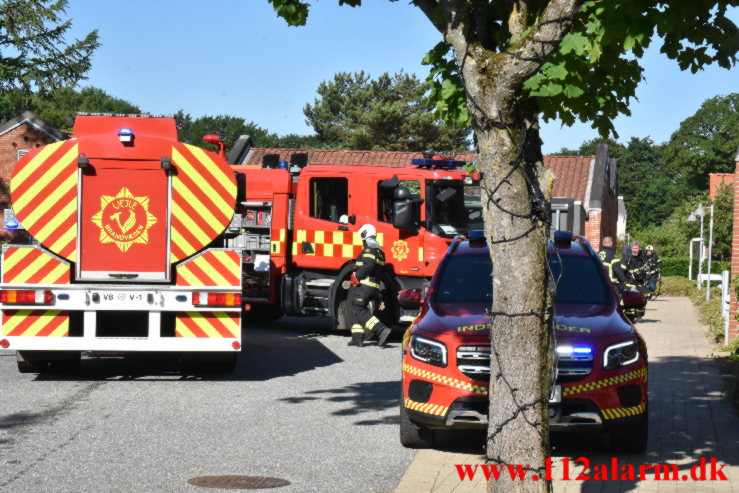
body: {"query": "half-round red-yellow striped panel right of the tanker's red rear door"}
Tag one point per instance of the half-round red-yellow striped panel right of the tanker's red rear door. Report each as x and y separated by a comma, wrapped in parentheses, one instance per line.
(203, 200)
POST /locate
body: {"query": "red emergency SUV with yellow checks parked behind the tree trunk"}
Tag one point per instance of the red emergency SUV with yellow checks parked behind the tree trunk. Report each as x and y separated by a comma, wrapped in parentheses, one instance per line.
(602, 368)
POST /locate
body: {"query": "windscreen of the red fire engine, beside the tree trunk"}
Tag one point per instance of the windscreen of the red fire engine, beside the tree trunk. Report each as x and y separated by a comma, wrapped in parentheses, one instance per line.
(453, 208)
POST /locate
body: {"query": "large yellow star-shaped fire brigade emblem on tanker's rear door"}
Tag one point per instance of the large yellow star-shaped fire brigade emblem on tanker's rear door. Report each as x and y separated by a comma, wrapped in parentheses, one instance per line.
(124, 219)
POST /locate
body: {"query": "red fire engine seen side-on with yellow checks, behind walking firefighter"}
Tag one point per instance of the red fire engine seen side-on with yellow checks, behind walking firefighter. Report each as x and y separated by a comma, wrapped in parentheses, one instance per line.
(300, 223)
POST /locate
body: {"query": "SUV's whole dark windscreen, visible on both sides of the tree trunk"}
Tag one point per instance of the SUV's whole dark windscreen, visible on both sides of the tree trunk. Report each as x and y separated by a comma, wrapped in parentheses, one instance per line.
(467, 278)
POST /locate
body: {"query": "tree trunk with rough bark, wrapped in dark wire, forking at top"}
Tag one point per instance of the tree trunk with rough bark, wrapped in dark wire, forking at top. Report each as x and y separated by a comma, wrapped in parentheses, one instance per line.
(516, 198)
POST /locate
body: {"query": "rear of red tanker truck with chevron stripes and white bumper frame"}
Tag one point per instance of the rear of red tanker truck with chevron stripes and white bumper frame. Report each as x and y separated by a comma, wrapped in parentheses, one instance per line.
(127, 229)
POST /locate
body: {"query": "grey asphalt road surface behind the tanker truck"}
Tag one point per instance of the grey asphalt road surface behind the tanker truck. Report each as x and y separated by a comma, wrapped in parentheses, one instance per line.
(301, 406)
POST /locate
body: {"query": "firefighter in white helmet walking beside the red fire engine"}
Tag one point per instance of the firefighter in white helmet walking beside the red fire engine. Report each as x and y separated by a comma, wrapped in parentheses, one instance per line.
(366, 287)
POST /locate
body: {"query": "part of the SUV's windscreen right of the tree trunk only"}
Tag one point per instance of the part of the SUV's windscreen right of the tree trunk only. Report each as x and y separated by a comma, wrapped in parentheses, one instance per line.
(579, 280)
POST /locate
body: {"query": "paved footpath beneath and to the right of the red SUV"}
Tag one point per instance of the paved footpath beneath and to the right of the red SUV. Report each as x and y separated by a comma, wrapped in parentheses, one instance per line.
(690, 418)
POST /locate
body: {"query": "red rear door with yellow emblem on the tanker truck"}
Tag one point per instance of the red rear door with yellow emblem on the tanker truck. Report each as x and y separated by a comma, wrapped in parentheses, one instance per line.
(124, 221)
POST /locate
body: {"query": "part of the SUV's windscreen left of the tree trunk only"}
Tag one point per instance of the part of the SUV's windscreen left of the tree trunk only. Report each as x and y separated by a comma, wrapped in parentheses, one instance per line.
(465, 278)
